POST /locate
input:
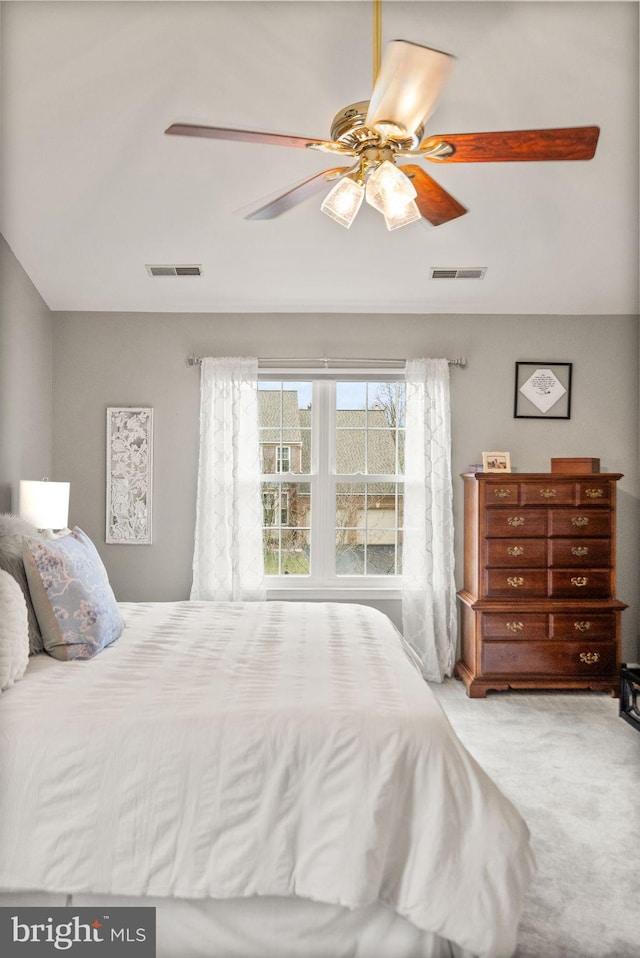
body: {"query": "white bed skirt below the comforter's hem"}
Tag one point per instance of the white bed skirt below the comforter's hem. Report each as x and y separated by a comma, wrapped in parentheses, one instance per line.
(267, 927)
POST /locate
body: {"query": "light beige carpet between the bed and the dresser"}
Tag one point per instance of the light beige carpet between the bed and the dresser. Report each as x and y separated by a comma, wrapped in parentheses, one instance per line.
(572, 768)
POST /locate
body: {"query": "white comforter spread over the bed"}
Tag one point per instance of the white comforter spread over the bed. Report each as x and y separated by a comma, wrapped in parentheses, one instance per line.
(227, 750)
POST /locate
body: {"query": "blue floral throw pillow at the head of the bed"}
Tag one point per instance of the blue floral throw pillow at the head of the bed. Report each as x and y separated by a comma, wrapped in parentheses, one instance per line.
(75, 606)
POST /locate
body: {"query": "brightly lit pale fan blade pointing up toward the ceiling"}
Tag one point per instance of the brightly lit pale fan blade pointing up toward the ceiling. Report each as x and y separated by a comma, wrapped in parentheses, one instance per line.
(408, 85)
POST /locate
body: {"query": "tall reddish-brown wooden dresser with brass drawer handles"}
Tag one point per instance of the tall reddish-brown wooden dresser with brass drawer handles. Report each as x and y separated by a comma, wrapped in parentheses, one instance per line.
(538, 606)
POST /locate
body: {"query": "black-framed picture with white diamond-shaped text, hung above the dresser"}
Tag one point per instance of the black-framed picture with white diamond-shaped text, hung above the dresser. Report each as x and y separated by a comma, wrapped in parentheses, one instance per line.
(542, 390)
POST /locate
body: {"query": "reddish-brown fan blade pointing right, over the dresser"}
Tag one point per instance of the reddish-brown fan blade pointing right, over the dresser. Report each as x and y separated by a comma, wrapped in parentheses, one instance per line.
(572, 143)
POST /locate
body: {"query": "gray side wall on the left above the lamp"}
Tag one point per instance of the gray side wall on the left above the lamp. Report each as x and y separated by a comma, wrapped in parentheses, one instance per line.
(26, 381)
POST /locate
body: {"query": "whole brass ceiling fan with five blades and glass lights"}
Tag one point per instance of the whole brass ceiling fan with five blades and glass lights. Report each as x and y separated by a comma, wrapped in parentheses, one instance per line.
(390, 127)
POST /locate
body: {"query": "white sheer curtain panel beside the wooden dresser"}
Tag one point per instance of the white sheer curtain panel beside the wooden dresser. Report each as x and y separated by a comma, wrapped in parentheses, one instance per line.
(429, 617)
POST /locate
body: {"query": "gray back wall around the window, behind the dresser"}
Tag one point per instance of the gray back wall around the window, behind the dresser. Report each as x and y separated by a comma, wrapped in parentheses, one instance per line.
(103, 359)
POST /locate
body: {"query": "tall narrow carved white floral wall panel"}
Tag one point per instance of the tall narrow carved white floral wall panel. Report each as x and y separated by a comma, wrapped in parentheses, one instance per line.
(129, 474)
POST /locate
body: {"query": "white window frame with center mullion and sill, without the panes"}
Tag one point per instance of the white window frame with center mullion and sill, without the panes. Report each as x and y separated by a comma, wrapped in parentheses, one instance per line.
(323, 582)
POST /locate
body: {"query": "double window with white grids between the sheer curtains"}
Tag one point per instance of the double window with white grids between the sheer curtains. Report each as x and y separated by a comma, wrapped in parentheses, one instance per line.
(333, 467)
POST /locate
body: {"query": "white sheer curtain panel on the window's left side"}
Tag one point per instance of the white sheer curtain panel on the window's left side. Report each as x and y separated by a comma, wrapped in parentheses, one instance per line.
(228, 561)
